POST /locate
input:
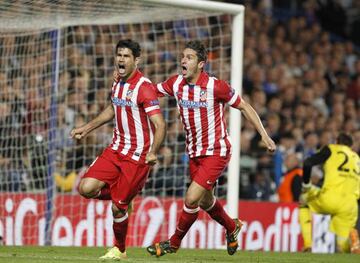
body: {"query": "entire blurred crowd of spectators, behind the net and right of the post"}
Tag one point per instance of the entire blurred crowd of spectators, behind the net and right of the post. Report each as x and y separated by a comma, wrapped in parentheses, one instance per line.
(303, 82)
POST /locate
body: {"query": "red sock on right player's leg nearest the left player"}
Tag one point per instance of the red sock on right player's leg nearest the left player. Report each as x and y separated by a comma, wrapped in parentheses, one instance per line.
(187, 218)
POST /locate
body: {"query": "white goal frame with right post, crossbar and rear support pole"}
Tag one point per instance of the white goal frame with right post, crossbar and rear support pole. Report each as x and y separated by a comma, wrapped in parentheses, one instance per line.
(236, 82)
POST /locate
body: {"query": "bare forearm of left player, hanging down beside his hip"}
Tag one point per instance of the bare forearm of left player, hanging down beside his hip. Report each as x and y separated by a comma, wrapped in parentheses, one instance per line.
(159, 123)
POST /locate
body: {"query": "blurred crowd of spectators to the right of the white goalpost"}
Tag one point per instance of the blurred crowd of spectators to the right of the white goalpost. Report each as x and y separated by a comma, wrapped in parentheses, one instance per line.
(305, 84)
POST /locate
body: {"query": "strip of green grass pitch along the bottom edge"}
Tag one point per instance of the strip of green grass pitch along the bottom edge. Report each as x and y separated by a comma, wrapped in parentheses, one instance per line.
(34, 254)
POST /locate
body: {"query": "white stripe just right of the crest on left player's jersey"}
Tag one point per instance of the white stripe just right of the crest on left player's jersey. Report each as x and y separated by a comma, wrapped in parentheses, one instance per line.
(137, 120)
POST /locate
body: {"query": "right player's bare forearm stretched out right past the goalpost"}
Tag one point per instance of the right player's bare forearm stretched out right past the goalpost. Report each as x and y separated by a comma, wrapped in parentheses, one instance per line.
(254, 118)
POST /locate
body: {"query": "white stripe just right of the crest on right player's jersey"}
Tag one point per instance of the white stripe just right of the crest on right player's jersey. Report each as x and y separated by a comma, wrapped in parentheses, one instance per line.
(211, 117)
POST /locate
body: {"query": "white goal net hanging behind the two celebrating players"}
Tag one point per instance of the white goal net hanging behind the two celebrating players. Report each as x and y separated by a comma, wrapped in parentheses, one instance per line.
(56, 64)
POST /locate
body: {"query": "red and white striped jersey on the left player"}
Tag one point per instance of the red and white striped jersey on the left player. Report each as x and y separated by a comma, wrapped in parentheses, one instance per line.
(134, 101)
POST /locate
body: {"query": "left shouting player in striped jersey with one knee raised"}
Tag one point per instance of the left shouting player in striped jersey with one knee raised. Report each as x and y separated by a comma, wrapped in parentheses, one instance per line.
(120, 172)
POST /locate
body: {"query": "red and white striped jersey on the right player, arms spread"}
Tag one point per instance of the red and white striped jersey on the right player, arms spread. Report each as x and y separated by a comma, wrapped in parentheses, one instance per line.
(201, 108)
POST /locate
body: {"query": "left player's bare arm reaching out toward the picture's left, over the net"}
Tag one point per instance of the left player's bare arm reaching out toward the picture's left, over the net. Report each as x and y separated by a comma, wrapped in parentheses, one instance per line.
(105, 116)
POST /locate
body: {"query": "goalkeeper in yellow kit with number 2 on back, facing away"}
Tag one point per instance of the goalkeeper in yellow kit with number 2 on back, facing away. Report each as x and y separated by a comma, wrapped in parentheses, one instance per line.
(338, 195)
